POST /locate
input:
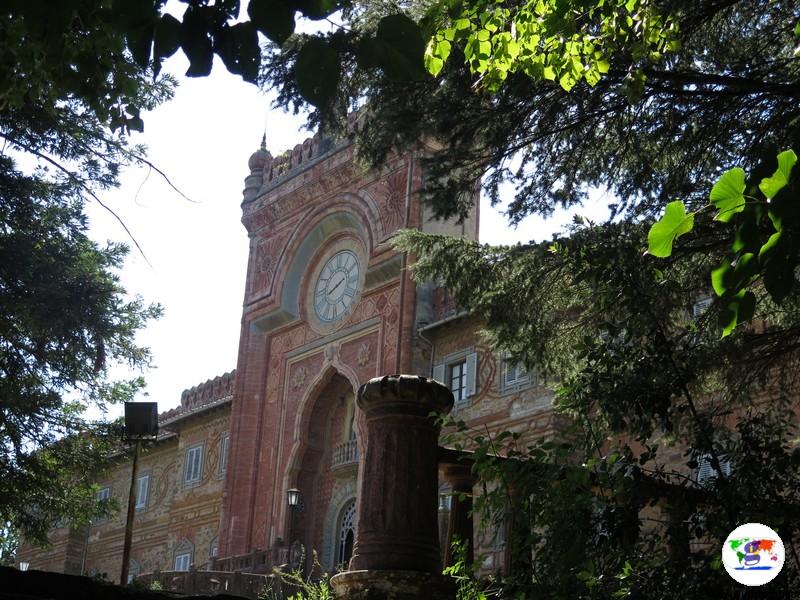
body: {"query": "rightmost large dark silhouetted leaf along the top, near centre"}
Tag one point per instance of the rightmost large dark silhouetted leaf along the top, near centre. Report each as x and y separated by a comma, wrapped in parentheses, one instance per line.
(401, 48)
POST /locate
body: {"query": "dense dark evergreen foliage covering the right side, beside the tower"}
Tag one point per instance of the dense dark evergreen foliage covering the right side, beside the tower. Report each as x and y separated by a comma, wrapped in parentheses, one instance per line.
(650, 389)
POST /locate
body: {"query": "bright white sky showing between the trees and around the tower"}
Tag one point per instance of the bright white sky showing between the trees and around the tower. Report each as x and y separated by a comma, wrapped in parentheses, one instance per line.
(198, 250)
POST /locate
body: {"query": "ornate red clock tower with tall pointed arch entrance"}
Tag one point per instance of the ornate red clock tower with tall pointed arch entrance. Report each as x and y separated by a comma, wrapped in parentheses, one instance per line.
(328, 305)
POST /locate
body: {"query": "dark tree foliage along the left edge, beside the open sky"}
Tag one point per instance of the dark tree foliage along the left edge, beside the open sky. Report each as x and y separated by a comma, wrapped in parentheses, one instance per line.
(71, 93)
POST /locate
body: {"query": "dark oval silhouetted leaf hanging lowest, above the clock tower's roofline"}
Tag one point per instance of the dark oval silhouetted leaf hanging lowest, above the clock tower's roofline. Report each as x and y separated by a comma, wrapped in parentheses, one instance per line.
(317, 71)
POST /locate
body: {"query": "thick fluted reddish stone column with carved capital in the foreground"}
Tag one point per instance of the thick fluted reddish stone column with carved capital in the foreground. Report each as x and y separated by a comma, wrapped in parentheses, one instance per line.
(396, 551)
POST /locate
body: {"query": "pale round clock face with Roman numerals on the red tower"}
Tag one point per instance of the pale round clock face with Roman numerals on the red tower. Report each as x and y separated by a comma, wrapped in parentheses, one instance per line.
(337, 286)
